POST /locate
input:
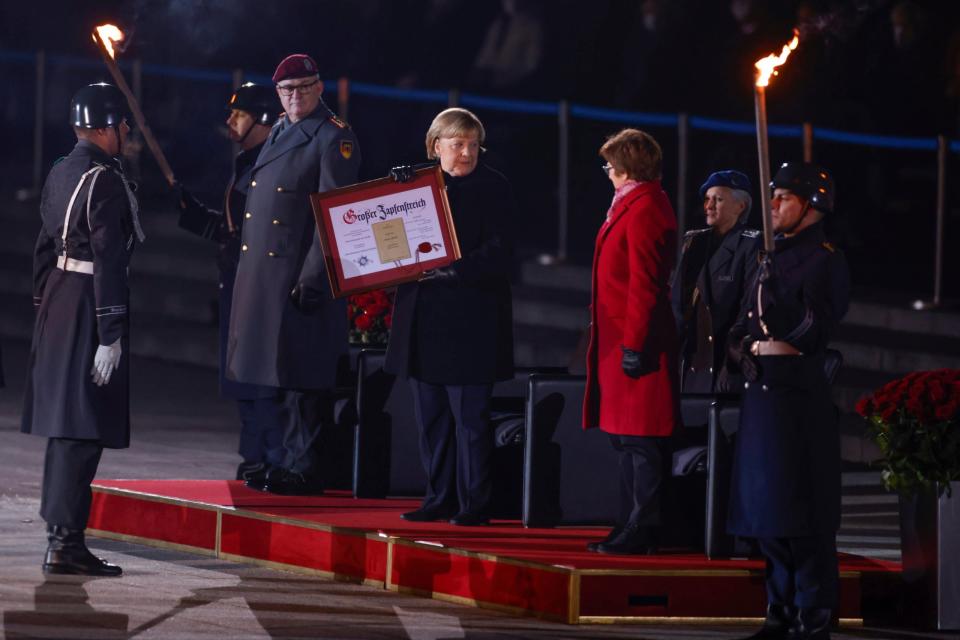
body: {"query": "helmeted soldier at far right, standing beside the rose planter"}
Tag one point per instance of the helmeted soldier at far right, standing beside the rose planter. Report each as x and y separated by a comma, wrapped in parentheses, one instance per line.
(786, 478)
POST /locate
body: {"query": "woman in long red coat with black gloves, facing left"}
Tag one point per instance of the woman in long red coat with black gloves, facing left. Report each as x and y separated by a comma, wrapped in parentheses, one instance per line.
(632, 389)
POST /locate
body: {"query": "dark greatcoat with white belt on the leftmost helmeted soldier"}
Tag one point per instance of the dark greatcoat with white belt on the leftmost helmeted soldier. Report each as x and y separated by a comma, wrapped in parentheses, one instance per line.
(76, 311)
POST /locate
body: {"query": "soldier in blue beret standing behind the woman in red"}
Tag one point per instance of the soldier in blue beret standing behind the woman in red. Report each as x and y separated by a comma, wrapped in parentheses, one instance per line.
(717, 265)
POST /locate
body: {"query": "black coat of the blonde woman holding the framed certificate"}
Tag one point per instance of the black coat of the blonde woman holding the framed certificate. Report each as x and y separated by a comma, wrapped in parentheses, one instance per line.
(462, 333)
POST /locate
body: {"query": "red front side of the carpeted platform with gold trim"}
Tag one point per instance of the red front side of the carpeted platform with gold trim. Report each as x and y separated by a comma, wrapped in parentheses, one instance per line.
(283, 539)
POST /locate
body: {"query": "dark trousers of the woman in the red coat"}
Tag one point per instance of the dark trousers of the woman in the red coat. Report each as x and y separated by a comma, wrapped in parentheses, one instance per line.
(641, 475)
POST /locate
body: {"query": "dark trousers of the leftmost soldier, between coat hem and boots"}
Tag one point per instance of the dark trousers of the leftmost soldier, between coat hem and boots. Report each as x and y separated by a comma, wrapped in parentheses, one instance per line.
(68, 469)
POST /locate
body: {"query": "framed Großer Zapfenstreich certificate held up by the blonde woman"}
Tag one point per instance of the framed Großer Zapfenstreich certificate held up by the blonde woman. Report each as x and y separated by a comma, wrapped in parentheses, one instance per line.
(381, 233)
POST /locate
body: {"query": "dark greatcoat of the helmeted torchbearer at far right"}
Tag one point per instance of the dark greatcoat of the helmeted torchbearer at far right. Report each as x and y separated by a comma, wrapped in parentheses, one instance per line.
(786, 469)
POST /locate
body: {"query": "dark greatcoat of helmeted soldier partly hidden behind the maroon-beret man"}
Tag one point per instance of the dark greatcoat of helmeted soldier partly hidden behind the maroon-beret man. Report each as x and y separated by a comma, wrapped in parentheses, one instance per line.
(224, 228)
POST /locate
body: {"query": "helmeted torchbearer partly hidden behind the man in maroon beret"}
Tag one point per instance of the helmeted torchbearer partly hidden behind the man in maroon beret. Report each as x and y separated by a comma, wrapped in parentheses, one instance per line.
(252, 111)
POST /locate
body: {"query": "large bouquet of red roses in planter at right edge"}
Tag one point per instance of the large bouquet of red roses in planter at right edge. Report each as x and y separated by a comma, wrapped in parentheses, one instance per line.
(916, 423)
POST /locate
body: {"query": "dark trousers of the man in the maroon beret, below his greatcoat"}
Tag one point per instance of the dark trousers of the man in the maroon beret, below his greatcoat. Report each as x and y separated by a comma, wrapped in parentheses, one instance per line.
(306, 412)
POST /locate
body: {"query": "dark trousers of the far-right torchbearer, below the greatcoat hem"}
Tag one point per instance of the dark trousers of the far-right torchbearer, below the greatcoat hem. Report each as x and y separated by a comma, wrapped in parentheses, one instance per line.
(802, 571)
